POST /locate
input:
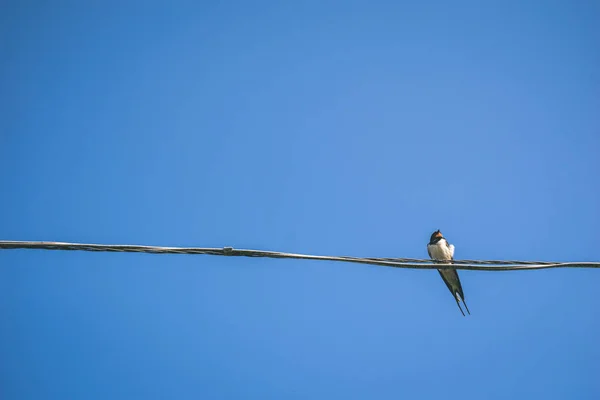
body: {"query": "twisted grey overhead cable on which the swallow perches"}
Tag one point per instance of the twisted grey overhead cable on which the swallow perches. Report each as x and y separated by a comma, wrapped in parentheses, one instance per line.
(413, 263)
